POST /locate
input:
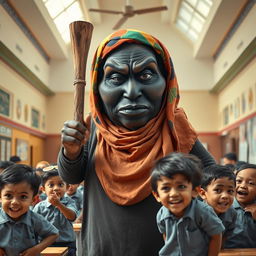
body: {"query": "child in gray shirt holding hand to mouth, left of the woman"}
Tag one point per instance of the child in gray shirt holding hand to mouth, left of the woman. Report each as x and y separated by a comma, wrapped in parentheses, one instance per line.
(59, 210)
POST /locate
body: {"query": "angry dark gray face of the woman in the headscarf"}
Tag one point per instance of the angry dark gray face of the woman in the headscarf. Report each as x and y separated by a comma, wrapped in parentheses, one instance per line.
(132, 86)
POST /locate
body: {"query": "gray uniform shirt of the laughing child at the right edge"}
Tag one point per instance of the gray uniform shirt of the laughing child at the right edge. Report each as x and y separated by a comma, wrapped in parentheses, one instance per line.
(244, 234)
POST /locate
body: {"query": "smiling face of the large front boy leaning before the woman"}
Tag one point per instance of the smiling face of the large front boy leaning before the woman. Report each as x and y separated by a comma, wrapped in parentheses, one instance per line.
(175, 193)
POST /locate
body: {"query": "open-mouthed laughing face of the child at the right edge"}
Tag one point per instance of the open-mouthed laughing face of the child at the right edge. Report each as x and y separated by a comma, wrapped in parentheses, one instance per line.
(246, 186)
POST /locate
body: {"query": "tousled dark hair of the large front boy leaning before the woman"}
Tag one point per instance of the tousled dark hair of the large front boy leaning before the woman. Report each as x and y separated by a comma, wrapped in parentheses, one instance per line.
(177, 163)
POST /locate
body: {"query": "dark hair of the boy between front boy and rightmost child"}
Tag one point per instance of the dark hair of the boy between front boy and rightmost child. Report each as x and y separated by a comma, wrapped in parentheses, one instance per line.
(214, 172)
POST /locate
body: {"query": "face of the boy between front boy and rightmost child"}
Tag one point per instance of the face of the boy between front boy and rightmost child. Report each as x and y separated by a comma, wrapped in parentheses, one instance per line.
(219, 194)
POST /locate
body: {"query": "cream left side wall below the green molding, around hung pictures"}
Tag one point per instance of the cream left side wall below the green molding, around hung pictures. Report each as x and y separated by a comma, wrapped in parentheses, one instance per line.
(20, 89)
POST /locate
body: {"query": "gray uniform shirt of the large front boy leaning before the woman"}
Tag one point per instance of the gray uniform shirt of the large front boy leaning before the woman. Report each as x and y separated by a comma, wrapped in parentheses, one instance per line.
(190, 234)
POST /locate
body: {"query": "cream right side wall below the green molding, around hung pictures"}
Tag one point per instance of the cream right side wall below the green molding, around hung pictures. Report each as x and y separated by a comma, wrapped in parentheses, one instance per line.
(244, 81)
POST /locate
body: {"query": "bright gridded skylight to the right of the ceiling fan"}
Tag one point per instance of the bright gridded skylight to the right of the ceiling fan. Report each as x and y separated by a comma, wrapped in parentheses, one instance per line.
(191, 17)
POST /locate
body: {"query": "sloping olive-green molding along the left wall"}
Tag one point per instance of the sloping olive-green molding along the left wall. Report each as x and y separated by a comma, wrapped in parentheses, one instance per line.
(18, 66)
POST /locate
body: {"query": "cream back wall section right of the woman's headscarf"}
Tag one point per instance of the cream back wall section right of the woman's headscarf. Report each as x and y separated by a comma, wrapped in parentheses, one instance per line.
(201, 109)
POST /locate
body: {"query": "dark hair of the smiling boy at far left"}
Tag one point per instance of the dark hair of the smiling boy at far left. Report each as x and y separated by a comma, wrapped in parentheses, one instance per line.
(18, 173)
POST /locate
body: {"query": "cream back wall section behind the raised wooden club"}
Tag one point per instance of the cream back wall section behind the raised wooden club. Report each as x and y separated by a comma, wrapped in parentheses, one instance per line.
(60, 108)
